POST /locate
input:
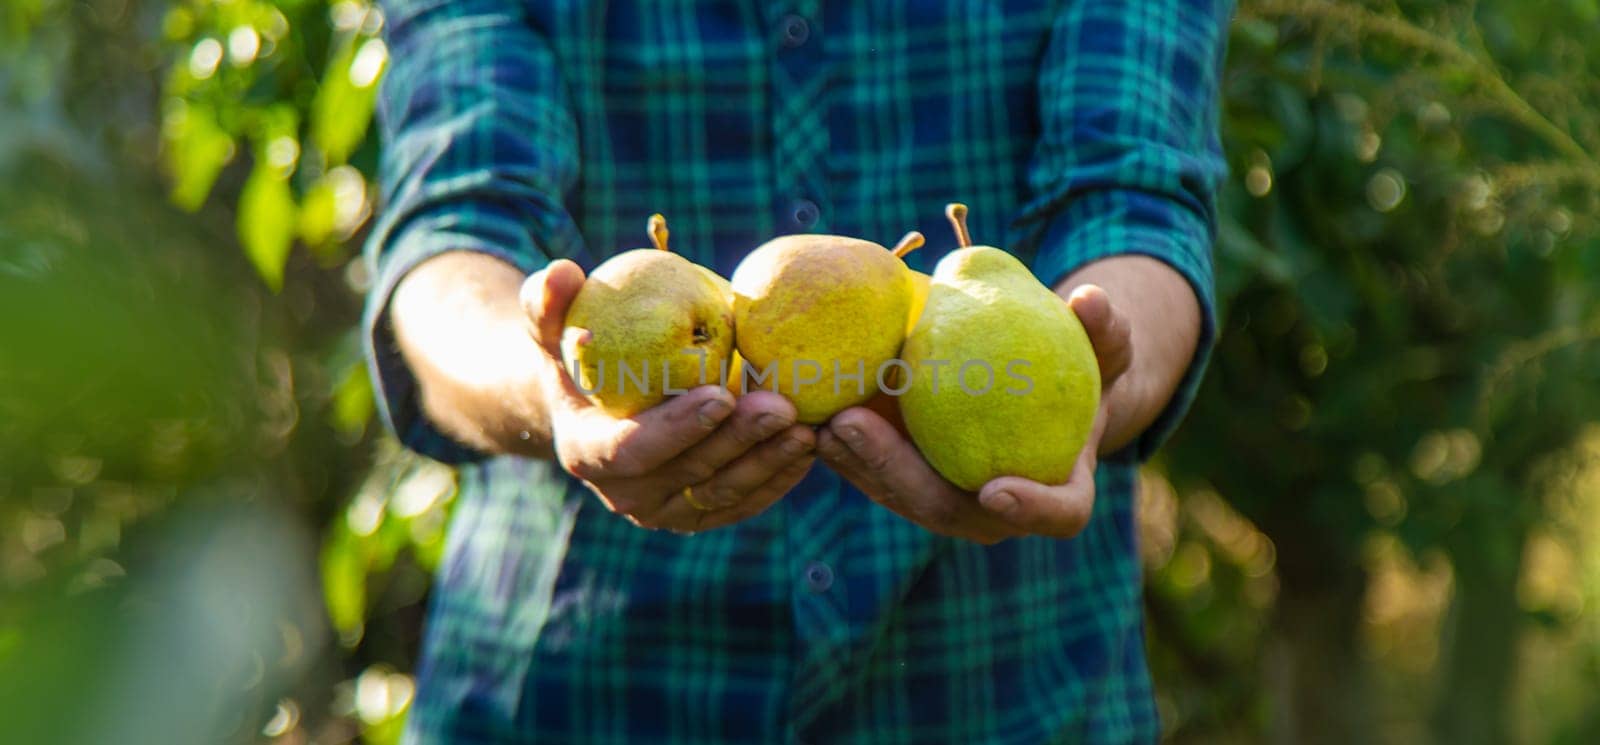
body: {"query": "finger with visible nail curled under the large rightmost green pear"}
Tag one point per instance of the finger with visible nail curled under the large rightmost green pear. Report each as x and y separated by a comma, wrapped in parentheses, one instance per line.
(1060, 511)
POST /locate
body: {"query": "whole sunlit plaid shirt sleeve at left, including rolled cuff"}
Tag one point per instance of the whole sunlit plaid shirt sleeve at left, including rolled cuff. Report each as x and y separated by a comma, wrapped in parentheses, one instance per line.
(479, 149)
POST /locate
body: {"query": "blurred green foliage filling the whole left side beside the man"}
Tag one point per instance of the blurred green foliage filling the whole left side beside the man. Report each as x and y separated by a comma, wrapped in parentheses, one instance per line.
(183, 399)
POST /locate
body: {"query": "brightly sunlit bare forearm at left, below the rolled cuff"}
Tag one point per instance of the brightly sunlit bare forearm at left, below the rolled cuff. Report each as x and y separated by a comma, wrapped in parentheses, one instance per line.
(465, 335)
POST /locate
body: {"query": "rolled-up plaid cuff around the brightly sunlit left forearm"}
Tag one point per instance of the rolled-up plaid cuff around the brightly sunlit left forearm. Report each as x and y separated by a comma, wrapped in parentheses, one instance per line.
(481, 229)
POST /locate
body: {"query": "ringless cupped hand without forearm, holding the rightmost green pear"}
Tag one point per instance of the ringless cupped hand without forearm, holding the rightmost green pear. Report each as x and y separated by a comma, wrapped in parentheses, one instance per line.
(876, 456)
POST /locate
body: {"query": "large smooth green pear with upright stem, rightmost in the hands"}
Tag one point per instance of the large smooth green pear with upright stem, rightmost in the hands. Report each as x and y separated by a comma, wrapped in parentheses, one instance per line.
(1004, 381)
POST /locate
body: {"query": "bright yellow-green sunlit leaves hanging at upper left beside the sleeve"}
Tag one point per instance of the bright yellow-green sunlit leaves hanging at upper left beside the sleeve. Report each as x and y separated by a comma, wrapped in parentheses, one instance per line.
(294, 84)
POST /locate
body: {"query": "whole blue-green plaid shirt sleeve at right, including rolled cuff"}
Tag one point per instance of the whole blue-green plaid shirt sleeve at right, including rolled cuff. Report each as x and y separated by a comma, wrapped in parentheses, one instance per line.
(1129, 159)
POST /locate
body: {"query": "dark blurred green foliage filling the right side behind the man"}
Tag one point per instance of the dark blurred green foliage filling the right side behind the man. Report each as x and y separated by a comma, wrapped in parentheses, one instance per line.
(1409, 263)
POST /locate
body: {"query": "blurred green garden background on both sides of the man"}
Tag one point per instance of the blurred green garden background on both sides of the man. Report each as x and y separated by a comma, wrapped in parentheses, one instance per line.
(1382, 522)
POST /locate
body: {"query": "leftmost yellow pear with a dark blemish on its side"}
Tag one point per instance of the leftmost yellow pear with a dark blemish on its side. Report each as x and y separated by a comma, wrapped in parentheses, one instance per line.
(646, 325)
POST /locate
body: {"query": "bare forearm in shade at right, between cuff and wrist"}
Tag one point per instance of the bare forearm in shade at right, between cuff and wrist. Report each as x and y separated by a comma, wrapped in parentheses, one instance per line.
(1166, 317)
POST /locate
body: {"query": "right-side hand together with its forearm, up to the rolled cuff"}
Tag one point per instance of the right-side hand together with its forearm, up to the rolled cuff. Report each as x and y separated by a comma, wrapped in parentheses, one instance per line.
(1138, 375)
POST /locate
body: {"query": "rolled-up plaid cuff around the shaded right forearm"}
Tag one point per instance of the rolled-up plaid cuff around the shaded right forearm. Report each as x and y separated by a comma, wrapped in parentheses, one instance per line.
(1121, 223)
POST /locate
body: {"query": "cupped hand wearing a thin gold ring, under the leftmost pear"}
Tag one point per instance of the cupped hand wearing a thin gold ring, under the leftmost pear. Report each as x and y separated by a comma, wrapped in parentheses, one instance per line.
(694, 463)
